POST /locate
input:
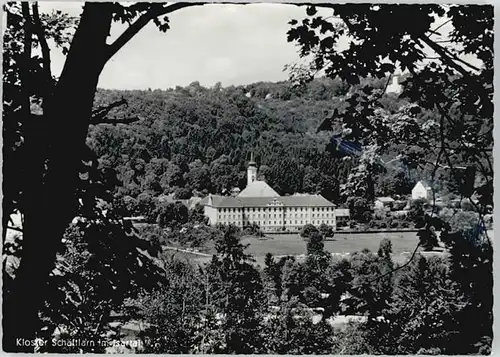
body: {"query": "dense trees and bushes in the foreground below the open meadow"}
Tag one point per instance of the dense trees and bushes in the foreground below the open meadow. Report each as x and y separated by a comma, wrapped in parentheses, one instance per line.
(289, 307)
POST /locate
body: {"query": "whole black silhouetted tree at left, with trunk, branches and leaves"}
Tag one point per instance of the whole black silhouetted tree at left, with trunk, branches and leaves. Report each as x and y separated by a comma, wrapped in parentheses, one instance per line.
(53, 146)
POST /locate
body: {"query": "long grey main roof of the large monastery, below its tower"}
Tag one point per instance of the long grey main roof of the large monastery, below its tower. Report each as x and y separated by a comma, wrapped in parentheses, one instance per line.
(288, 201)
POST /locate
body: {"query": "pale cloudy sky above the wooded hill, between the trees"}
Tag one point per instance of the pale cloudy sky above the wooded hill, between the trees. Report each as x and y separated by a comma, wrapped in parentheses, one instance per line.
(231, 44)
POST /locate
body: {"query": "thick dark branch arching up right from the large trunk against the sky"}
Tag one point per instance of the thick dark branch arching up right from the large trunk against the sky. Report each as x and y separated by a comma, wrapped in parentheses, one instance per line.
(142, 21)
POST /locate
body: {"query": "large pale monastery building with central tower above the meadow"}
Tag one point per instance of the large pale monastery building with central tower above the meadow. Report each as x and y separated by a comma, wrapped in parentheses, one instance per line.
(259, 203)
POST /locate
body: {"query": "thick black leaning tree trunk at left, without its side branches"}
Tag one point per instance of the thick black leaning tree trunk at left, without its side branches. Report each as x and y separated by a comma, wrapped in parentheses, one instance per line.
(50, 193)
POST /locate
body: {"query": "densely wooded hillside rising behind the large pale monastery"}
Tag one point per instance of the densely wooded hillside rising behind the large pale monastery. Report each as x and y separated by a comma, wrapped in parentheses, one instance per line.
(200, 139)
